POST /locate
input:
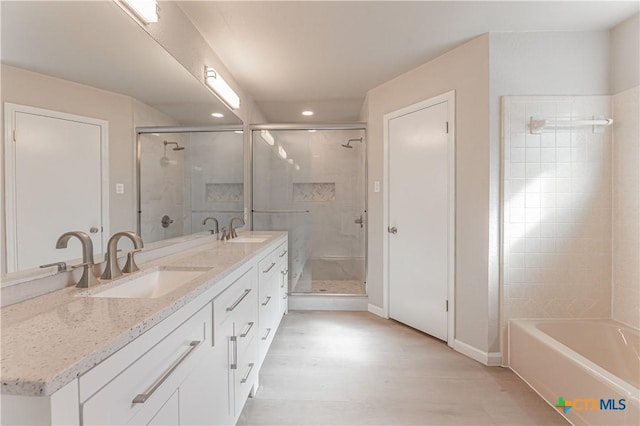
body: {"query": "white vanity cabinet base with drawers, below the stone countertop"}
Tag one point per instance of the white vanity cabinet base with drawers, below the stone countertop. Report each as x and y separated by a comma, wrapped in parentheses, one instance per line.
(195, 367)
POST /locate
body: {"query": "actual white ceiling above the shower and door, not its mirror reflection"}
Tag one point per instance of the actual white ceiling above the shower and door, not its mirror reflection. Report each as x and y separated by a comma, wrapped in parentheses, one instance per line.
(325, 56)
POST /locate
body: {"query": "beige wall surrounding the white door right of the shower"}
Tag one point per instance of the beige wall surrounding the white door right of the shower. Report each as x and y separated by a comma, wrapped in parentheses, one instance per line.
(465, 70)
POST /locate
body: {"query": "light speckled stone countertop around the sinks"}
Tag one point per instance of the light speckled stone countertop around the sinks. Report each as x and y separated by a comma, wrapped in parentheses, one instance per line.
(50, 340)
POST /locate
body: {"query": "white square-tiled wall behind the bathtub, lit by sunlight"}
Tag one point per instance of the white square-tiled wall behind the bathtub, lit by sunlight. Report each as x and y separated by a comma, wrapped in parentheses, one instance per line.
(556, 211)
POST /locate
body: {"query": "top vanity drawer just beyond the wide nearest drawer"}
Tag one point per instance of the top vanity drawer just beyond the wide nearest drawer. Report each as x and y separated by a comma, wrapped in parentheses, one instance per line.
(236, 297)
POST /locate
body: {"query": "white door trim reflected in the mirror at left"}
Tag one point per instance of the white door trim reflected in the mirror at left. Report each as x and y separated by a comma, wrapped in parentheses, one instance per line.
(10, 111)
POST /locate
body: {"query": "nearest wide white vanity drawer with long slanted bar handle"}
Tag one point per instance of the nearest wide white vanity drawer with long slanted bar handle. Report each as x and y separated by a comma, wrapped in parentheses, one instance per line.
(151, 380)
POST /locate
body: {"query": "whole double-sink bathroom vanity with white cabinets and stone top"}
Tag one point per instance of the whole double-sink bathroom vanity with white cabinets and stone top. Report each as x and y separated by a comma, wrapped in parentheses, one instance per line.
(179, 342)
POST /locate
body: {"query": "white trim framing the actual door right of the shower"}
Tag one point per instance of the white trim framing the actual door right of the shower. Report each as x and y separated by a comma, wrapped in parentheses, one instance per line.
(445, 97)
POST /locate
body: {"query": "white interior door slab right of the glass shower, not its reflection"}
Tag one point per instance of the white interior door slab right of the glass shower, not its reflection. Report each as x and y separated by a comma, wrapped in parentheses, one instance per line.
(420, 217)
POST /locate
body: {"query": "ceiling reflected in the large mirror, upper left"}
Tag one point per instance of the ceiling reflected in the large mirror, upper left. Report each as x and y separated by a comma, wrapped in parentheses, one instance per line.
(97, 44)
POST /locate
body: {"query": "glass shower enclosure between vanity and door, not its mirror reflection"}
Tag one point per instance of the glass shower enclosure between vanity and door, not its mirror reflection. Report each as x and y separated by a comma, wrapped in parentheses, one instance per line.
(312, 184)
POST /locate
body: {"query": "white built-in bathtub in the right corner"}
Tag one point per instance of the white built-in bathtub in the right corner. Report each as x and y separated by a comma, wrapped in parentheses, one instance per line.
(582, 361)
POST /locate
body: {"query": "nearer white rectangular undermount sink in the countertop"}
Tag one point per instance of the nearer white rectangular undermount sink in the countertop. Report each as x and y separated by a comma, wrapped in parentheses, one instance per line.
(151, 285)
